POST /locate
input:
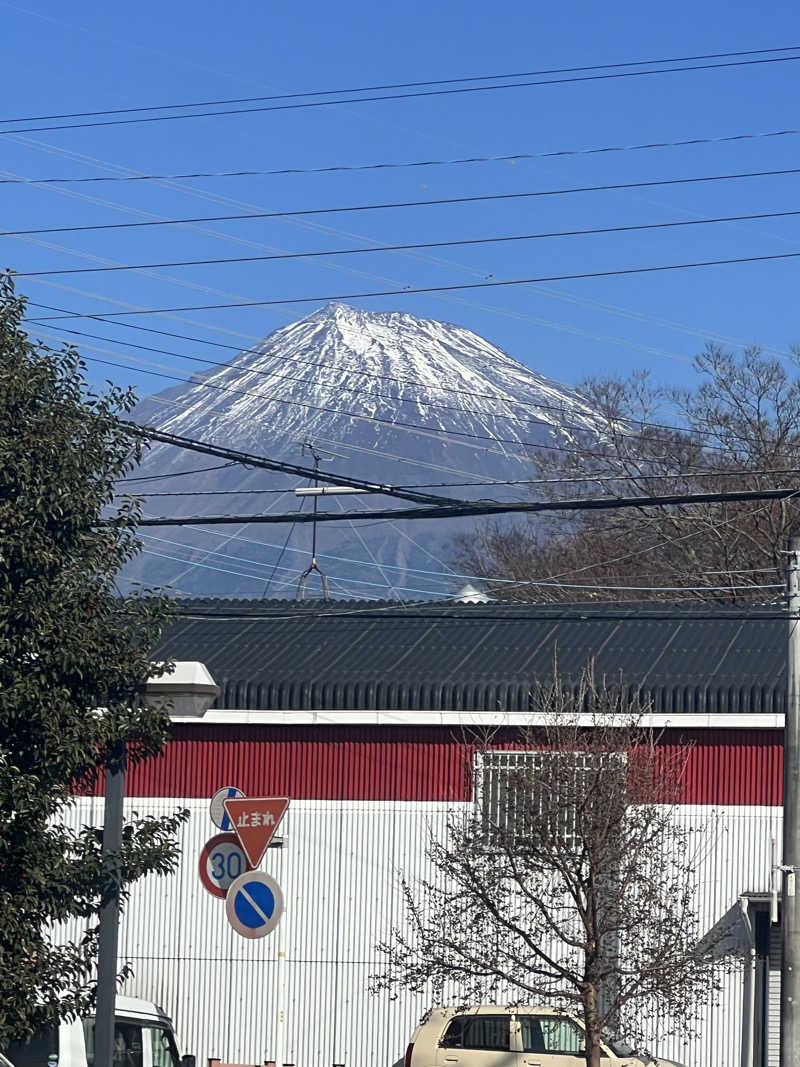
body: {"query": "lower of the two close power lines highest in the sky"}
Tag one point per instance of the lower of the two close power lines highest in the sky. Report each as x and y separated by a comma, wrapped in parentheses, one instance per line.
(307, 104)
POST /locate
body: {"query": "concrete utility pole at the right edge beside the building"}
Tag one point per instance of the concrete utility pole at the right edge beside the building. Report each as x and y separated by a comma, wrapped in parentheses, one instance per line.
(791, 900)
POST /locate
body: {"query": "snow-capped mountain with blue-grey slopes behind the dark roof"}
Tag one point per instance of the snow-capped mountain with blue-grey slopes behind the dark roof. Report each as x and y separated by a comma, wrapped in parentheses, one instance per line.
(383, 396)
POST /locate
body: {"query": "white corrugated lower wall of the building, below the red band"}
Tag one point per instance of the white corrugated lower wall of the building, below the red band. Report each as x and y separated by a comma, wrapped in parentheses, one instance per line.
(339, 872)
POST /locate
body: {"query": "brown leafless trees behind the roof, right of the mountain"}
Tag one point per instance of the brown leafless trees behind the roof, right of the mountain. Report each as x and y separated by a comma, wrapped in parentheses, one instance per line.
(738, 429)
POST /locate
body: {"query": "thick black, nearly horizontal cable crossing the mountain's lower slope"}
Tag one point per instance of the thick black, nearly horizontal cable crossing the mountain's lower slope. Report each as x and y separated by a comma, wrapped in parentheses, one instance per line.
(461, 511)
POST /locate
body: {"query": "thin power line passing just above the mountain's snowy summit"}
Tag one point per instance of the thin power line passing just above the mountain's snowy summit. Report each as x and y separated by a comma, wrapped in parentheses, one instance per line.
(409, 291)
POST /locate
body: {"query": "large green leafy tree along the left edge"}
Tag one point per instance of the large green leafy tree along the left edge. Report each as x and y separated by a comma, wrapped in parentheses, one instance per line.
(74, 660)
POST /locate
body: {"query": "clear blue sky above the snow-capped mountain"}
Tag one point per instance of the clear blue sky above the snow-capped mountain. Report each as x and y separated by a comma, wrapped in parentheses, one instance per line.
(89, 56)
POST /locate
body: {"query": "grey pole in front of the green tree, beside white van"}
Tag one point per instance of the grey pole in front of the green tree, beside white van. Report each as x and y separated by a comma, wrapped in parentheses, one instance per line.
(113, 842)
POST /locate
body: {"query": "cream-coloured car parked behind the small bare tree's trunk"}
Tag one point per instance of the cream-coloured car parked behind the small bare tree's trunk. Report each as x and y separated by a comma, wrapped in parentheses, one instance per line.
(493, 1037)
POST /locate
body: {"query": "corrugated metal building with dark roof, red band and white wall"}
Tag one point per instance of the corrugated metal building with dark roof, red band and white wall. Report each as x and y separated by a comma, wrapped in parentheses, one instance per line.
(358, 713)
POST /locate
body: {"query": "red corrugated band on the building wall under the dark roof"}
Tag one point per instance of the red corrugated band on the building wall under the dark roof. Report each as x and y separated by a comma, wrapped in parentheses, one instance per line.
(417, 763)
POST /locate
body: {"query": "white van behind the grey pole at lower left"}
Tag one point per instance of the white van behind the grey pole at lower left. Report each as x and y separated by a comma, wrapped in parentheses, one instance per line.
(143, 1038)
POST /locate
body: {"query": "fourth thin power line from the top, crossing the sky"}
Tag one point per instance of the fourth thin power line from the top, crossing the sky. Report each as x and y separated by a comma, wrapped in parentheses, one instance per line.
(405, 204)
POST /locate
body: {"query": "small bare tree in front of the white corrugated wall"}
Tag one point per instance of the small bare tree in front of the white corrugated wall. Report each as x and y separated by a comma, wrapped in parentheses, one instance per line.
(570, 883)
